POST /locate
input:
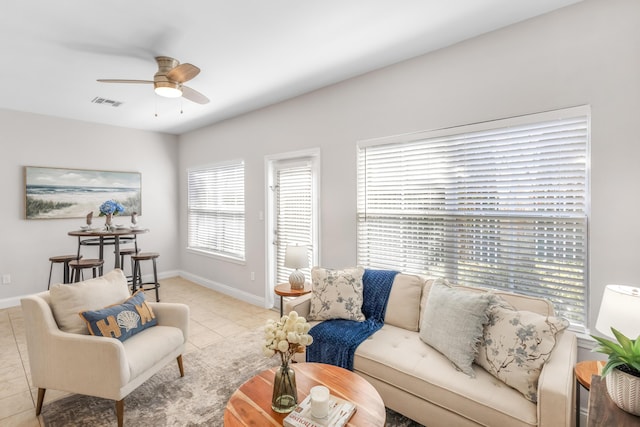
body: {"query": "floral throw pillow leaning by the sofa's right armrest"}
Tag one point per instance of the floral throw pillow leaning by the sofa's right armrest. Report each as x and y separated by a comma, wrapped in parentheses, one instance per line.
(516, 344)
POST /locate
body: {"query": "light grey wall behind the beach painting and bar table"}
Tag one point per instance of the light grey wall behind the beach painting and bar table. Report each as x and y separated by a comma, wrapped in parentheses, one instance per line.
(34, 140)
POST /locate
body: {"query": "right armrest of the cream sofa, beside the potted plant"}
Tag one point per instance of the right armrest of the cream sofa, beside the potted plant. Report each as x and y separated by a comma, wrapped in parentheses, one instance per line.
(557, 386)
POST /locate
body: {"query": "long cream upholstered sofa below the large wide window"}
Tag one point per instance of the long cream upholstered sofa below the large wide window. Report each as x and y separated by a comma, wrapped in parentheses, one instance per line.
(421, 383)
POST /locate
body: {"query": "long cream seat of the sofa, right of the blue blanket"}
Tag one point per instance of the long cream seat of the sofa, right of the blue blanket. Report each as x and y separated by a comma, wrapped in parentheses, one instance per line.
(397, 358)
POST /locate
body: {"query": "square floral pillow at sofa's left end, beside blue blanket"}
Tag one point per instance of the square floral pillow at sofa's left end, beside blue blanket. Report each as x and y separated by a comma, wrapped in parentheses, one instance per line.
(336, 294)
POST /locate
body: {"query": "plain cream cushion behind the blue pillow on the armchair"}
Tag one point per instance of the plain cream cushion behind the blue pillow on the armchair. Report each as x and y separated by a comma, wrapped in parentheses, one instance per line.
(93, 294)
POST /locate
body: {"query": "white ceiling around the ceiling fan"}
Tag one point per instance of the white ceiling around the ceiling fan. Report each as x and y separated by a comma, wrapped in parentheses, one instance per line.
(252, 52)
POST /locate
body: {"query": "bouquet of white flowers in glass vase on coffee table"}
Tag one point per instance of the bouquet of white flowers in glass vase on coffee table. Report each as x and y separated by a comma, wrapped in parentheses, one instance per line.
(287, 336)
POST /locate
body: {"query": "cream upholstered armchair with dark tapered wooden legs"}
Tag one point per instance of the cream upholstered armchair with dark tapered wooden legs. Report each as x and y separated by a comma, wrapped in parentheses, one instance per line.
(95, 365)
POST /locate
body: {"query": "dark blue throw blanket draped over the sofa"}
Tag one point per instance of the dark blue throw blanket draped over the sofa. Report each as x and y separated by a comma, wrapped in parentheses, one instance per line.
(335, 341)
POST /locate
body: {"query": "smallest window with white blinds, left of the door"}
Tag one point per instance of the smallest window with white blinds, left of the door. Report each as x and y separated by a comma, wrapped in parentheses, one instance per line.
(216, 210)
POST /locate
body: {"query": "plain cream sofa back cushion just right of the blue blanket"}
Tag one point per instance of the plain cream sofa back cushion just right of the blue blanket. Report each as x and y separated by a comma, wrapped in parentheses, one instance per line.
(403, 307)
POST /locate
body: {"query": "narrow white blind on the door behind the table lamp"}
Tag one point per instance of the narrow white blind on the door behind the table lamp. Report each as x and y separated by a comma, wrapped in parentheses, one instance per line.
(294, 216)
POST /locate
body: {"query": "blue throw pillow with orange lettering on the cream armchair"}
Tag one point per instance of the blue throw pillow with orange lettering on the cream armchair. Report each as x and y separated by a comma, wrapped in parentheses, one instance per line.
(121, 321)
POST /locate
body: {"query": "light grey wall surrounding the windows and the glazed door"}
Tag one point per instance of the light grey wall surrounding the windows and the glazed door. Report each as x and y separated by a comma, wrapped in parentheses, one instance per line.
(583, 54)
